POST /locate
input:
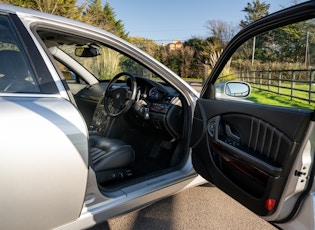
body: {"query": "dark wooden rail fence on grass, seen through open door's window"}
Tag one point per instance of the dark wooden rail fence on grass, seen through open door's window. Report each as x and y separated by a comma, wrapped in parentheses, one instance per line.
(297, 84)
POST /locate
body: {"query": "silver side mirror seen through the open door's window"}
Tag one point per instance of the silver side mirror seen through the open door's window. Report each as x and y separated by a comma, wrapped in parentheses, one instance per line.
(232, 89)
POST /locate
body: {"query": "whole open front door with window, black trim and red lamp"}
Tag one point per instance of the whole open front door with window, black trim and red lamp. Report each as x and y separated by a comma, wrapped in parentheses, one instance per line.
(260, 152)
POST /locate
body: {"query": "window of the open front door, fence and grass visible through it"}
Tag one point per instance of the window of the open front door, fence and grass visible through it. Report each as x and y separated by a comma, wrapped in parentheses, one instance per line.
(278, 65)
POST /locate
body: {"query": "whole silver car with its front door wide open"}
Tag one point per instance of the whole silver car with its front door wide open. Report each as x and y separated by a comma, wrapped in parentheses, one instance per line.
(92, 128)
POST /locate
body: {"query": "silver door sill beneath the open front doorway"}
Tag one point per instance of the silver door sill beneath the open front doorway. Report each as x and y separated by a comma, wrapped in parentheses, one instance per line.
(135, 197)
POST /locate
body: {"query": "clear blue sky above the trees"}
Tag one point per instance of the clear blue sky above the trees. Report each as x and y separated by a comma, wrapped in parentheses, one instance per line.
(168, 20)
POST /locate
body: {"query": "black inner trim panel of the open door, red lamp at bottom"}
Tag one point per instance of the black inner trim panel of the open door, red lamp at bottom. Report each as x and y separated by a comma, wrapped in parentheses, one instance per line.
(247, 149)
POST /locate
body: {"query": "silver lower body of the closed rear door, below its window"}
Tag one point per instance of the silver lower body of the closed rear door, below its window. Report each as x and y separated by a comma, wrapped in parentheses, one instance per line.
(57, 154)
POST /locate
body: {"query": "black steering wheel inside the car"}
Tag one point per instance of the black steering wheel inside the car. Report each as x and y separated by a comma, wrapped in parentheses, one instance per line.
(119, 98)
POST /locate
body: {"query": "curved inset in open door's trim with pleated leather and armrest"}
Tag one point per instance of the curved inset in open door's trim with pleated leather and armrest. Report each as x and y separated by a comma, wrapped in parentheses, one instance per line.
(249, 151)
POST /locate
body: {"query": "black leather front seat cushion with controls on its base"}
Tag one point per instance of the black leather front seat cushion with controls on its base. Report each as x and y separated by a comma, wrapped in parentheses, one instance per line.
(110, 158)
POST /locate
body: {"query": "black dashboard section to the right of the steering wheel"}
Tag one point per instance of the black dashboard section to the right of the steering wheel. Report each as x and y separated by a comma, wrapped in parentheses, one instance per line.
(158, 106)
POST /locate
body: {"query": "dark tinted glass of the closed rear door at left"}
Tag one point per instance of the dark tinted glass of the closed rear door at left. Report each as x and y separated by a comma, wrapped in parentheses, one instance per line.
(15, 72)
